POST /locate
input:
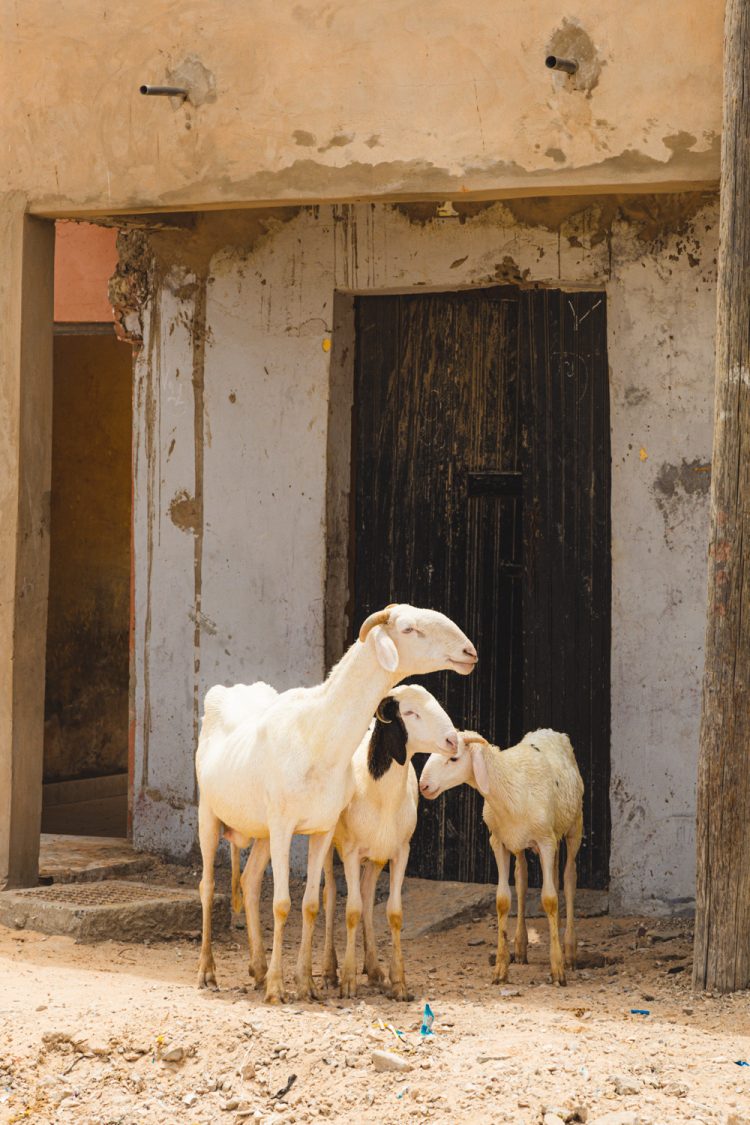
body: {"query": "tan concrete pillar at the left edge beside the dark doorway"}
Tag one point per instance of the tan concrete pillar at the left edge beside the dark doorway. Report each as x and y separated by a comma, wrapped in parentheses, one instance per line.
(26, 319)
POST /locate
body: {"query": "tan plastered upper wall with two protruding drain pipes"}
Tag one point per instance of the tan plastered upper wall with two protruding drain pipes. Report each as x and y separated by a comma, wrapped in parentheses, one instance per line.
(353, 100)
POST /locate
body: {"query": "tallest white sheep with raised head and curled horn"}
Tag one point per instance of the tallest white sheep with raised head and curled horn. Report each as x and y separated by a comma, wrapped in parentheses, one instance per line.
(286, 768)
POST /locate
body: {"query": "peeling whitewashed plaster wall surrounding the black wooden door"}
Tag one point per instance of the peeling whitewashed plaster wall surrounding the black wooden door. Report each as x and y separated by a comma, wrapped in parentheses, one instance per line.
(251, 300)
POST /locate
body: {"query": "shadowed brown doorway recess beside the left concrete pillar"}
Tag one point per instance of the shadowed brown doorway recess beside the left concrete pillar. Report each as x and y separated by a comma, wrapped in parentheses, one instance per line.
(86, 746)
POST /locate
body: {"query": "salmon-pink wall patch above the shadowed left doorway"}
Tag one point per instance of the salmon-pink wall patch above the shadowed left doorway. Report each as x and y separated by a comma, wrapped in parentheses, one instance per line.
(85, 260)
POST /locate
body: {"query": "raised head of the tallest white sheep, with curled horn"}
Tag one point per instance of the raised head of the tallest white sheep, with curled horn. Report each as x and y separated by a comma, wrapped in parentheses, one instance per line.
(414, 642)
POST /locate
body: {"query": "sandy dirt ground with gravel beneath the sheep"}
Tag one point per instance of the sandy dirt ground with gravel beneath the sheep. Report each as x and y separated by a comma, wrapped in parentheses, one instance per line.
(115, 1034)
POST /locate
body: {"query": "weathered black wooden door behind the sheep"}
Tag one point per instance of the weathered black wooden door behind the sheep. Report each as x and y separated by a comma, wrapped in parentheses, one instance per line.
(453, 401)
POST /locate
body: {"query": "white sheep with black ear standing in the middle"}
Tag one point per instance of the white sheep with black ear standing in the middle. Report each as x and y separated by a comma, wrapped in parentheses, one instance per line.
(377, 827)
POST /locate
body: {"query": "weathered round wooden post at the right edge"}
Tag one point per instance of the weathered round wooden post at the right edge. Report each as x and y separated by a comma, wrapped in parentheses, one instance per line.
(722, 931)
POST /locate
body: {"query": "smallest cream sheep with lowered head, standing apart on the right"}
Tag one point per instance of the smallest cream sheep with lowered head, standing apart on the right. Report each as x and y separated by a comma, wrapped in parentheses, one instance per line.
(534, 797)
